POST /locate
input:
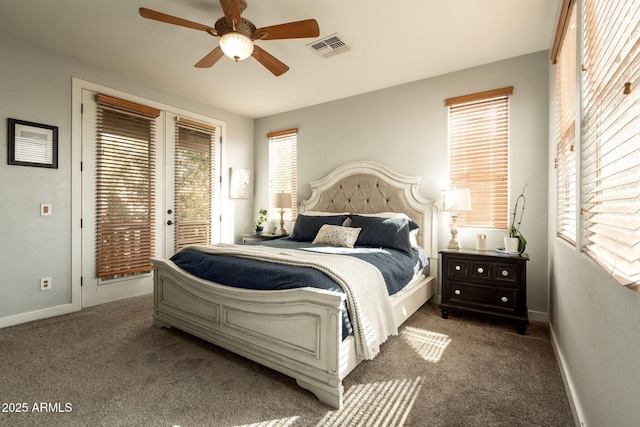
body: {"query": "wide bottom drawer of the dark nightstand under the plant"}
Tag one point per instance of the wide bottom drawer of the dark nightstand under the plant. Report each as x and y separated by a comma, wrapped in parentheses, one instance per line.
(486, 297)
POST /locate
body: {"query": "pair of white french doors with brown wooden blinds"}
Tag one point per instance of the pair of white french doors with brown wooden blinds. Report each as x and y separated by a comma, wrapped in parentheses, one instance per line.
(180, 210)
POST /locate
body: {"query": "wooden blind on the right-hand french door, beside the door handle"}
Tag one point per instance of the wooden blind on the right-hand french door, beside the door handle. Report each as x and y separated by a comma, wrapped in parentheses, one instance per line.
(195, 155)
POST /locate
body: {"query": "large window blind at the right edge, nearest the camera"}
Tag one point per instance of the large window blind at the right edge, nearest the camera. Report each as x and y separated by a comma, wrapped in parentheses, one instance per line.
(611, 136)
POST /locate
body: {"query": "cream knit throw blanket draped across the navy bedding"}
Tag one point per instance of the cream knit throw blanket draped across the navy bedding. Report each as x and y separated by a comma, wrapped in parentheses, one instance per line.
(368, 300)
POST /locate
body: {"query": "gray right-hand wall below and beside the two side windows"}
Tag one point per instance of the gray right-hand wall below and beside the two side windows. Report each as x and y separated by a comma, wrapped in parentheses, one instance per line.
(595, 323)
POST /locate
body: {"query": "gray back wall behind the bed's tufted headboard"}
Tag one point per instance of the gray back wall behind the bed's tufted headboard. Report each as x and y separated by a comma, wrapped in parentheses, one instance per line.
(405, 128)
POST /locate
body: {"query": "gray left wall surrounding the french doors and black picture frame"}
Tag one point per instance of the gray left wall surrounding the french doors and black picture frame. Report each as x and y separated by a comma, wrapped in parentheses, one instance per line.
(36, 86)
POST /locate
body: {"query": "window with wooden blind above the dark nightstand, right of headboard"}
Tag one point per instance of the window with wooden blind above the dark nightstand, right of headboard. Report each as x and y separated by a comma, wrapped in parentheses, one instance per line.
(478, 155)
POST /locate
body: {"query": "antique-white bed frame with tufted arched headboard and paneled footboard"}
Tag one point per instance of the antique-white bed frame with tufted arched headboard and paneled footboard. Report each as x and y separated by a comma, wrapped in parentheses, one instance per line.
(299, 332)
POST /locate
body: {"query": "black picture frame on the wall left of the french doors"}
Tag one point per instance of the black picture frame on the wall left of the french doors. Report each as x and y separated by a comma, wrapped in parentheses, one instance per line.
(32, 144)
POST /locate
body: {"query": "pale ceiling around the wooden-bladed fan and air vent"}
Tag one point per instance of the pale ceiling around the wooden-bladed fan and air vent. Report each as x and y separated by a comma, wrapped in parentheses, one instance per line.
(392, 43)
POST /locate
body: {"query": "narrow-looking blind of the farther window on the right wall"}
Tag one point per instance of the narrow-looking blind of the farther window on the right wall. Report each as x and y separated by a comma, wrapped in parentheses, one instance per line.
(566, 225)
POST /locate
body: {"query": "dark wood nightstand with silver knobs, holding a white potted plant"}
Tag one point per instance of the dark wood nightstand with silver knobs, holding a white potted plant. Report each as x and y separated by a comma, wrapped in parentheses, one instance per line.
(485, 282)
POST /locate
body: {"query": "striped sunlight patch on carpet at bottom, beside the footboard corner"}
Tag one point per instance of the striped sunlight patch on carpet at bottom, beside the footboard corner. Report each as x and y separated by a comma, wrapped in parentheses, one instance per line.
(386, 403)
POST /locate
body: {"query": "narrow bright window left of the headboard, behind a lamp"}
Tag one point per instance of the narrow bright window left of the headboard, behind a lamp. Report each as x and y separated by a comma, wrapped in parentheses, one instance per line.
(283, 170)
